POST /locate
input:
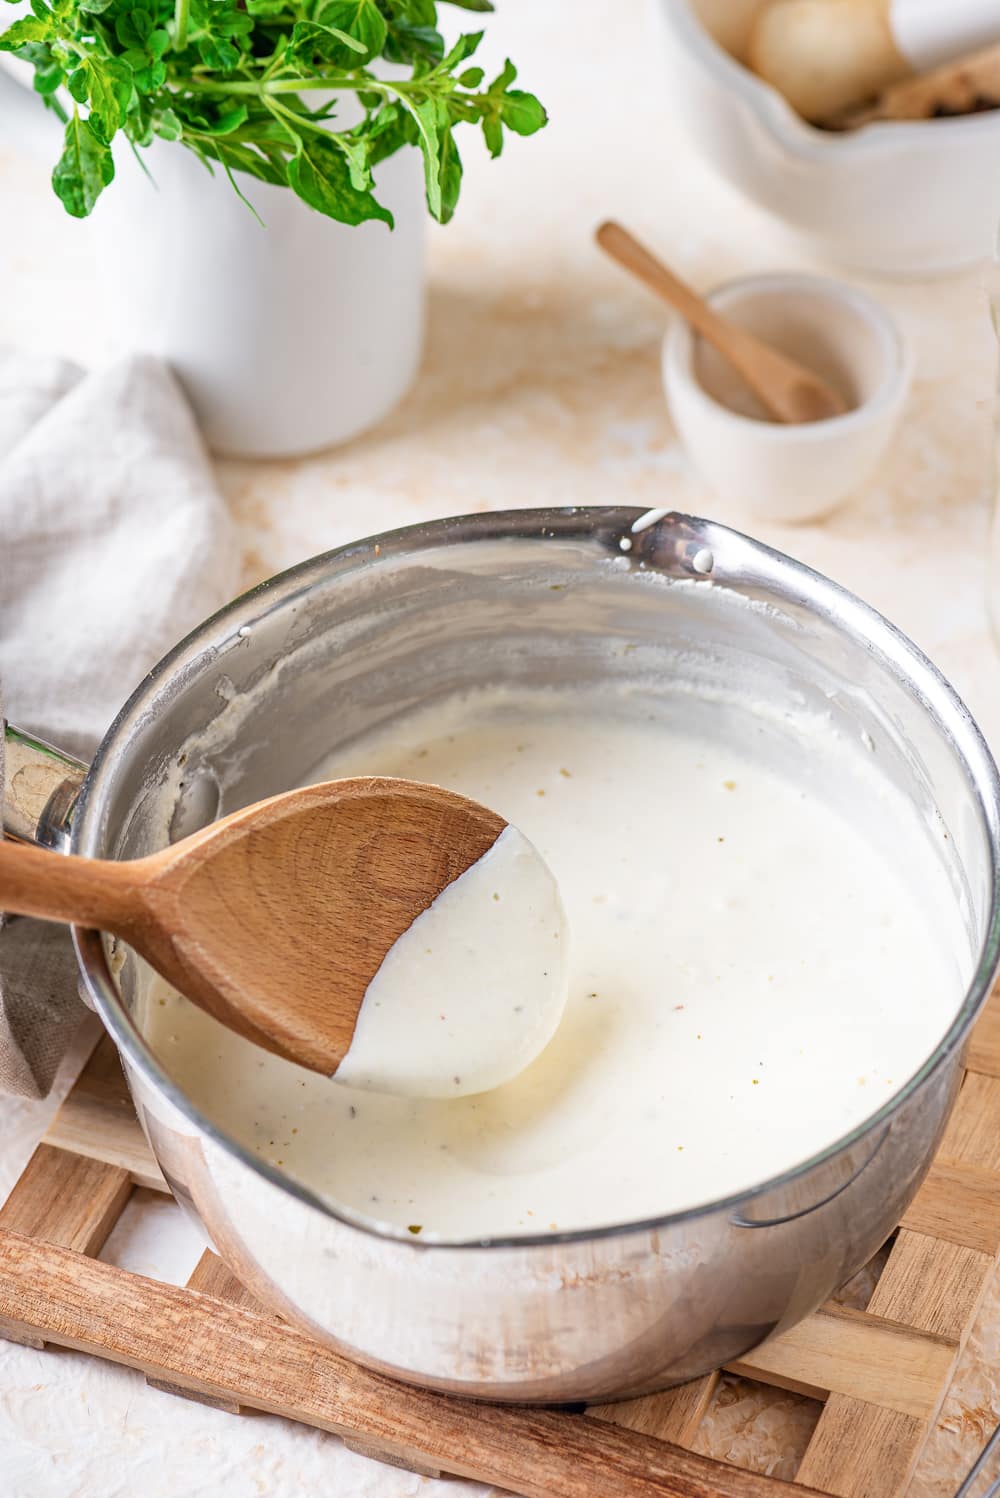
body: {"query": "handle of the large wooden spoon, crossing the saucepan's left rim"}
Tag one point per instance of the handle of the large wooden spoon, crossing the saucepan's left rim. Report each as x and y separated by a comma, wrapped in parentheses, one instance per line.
(82, 892)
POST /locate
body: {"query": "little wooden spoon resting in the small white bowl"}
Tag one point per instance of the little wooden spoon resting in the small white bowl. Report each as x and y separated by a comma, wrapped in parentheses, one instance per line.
(790, 392)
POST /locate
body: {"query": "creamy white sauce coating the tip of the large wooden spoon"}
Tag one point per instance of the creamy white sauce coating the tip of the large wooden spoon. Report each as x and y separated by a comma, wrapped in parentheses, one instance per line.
(474, 991)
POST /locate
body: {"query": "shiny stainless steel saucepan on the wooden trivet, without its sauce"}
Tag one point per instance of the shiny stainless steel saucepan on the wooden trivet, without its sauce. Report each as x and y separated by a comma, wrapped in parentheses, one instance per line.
(258, 697)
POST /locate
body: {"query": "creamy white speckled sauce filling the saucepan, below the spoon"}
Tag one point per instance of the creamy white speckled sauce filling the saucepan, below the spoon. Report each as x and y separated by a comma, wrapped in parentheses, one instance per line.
(751, 977)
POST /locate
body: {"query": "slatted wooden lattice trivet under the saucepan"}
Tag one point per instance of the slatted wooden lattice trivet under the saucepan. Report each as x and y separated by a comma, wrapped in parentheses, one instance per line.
(882, 1373)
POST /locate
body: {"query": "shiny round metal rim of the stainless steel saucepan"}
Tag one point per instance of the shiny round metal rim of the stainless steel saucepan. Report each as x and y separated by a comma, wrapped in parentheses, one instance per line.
(589, 525)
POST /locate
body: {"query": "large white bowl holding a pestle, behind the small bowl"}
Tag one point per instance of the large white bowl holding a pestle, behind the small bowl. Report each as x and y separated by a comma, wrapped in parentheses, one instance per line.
(896, 198)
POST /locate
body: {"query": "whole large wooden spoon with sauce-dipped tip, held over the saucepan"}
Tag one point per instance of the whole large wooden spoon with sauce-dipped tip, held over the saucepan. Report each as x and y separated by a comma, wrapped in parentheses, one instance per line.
(278, 921)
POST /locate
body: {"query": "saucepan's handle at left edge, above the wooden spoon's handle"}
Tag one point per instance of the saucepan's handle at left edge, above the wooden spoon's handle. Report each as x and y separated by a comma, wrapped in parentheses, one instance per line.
(41, 787)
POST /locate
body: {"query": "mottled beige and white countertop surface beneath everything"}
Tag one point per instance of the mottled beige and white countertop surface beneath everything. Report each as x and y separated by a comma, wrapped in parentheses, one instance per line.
(540, 387)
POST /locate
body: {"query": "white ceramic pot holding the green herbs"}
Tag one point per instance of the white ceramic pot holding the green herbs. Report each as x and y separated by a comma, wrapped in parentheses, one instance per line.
(290, 336)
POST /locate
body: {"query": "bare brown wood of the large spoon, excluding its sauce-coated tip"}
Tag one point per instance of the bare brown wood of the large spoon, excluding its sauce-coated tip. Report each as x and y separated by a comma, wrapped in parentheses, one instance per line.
(276, 919)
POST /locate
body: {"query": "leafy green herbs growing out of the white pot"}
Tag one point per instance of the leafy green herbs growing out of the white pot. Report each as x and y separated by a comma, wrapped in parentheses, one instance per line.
(255, 86)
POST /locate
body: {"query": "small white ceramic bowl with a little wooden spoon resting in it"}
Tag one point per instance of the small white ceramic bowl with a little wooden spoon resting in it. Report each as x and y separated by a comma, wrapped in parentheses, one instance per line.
(790, 473)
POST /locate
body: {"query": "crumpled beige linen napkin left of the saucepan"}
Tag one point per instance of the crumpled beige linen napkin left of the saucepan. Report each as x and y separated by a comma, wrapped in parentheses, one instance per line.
(115, 542)
